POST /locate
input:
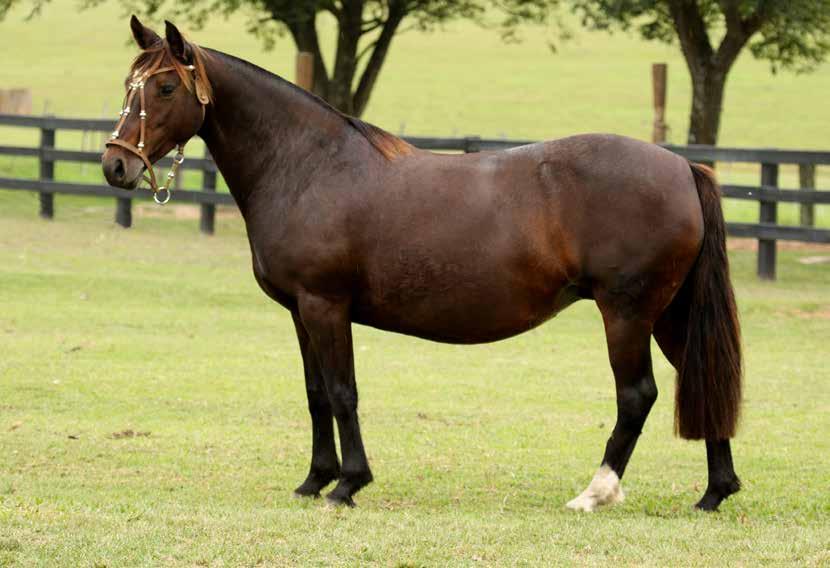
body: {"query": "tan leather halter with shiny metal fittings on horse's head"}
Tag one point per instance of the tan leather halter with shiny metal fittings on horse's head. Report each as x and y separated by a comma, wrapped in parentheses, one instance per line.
(137, 86)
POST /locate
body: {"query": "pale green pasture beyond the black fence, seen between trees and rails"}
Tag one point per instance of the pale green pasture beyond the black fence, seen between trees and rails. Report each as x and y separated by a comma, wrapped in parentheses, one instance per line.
(460, 81)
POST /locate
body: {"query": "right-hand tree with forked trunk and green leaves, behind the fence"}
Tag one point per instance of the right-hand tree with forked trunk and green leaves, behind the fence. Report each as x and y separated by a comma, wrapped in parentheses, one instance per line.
(790, 34)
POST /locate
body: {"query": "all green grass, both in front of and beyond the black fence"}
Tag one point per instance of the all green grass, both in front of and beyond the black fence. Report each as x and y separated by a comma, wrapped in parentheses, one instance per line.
(475, 450)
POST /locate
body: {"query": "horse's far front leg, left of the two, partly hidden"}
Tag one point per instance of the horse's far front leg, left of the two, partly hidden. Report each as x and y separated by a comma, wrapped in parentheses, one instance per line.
(325, 466)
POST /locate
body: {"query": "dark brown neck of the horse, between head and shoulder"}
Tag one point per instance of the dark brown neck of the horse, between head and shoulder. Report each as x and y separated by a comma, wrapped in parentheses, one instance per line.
(266, 136)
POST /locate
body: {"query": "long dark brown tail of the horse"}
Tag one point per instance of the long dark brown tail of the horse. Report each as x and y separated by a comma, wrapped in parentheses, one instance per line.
(708, 397)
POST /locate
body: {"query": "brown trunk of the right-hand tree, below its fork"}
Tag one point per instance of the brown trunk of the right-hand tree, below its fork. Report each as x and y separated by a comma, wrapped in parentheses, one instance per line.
(708, 86)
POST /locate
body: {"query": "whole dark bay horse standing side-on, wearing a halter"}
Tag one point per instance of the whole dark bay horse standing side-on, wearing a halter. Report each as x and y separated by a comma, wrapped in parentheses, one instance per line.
(348, 223)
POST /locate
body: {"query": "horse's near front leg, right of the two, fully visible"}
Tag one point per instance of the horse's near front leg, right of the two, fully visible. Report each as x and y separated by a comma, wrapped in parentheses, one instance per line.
(329, 328)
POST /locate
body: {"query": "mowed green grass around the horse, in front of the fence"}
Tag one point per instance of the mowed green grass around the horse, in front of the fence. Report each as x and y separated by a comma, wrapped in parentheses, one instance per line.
(163, 332)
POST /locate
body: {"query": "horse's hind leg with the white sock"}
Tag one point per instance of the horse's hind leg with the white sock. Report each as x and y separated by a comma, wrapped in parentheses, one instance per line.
(628, 341)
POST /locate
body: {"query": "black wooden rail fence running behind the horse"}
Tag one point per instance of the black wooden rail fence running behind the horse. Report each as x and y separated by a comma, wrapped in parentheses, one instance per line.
(767, 194)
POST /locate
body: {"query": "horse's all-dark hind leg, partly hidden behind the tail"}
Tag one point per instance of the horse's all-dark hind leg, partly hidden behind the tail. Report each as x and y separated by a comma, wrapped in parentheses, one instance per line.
(670, 333)
